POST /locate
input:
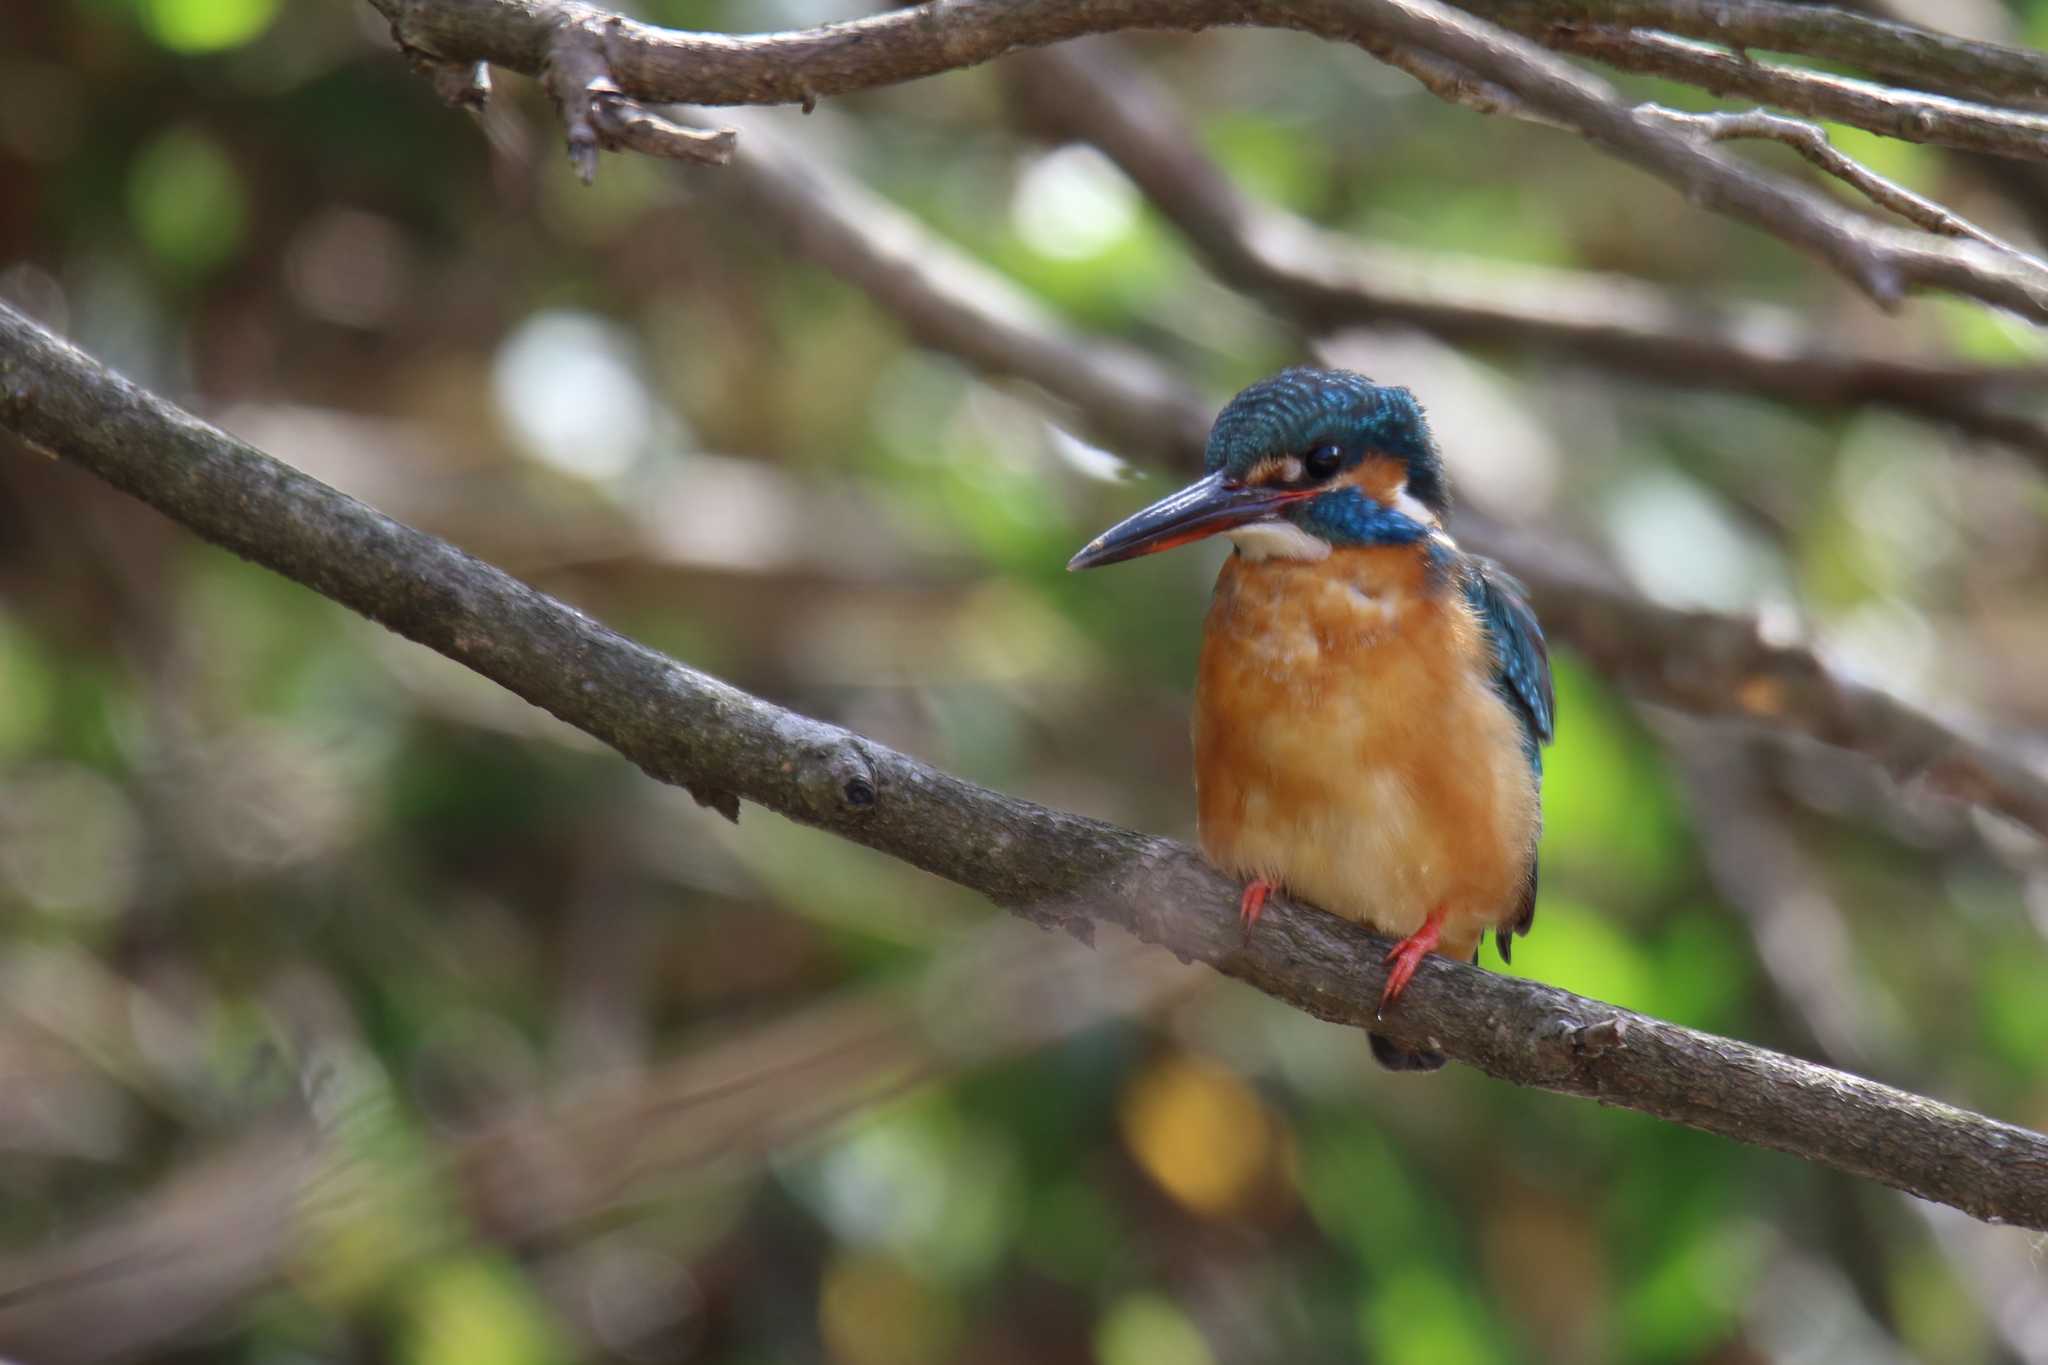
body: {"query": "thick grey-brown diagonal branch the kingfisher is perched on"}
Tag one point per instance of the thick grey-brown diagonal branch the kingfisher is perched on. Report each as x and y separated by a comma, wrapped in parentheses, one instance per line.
(1043, 865)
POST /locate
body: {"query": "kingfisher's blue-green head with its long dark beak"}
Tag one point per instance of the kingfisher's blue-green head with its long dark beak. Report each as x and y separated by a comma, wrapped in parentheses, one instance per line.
(1299, 466)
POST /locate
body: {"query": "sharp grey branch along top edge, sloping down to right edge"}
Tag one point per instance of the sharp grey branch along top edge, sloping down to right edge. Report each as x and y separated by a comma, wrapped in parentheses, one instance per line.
(1506, 71)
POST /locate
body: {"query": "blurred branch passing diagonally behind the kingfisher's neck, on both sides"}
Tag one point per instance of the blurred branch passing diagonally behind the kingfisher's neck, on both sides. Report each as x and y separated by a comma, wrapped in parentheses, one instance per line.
(1697, 662)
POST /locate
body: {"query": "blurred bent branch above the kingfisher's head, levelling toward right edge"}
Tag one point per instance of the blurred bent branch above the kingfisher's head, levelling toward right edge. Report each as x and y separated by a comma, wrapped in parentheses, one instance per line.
(1322, 279)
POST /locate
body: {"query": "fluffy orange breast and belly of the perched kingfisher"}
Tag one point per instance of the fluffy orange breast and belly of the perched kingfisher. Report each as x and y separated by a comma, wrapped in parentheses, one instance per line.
(1351, 748)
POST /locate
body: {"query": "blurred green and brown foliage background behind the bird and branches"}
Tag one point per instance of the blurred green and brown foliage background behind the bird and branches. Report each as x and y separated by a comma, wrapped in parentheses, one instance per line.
(351, 1010)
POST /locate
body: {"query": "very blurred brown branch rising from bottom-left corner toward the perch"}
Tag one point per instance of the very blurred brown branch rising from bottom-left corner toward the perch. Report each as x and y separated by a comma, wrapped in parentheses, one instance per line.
(230, 1225)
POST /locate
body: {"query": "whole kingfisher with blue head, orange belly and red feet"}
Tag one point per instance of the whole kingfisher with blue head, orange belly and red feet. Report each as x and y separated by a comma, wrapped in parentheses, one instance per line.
(1371, 701)
